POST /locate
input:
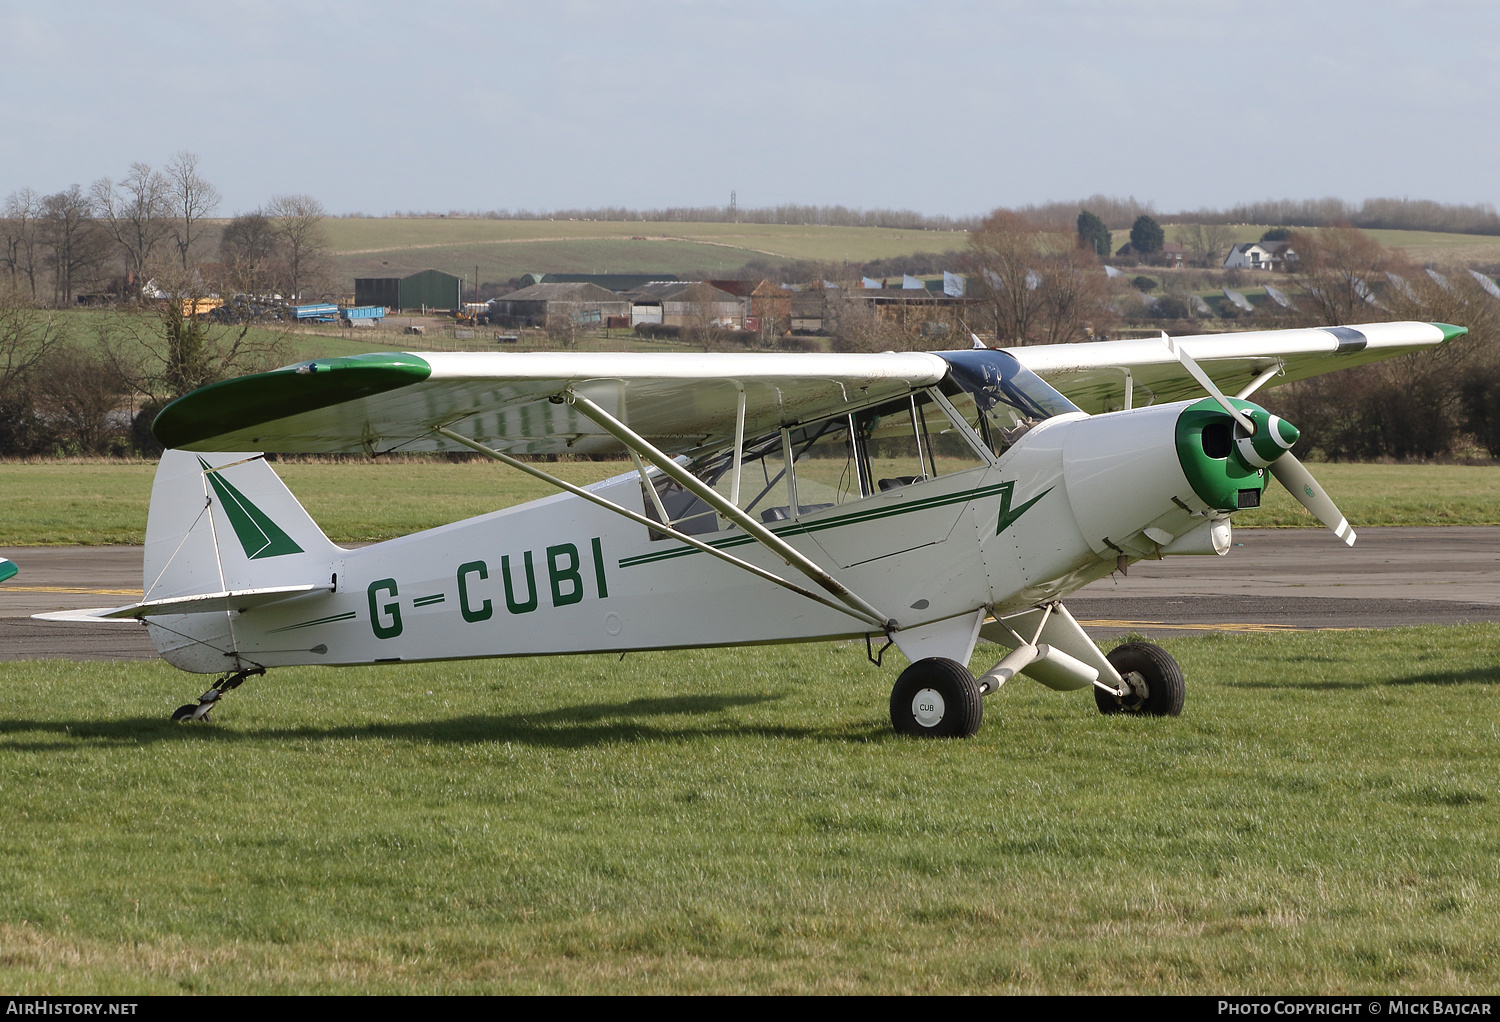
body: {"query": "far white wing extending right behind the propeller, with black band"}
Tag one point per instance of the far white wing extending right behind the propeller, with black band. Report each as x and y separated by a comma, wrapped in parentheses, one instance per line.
(1094, 376)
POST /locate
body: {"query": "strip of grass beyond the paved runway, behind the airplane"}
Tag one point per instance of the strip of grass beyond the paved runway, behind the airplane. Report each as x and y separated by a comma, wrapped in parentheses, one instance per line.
(104, 502)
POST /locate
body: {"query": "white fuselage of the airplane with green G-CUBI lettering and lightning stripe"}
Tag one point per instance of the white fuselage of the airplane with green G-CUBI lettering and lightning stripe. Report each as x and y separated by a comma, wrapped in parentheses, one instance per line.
(1051, 514)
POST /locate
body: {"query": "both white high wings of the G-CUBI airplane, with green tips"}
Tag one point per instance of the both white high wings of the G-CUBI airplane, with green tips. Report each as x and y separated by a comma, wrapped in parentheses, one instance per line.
(521, 403)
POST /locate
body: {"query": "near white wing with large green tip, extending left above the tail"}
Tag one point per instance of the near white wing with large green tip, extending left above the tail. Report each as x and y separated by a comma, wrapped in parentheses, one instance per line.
(514, 403)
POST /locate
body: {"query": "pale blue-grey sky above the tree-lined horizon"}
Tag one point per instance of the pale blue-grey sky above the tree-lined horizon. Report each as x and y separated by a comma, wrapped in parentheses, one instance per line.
(940, 107)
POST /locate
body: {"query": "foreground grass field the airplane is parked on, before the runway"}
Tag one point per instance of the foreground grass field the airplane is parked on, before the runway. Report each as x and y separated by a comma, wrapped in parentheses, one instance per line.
(1322, 819)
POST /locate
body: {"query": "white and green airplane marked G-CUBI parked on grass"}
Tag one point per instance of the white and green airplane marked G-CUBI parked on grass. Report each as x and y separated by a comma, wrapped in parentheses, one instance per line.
(926, 500)
